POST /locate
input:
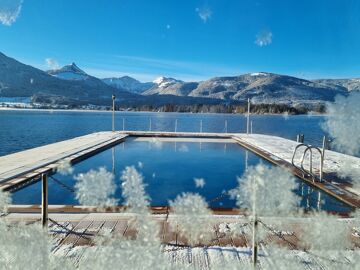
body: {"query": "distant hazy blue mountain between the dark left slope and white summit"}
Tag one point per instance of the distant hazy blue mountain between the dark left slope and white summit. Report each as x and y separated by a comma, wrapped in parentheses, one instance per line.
(129, 84)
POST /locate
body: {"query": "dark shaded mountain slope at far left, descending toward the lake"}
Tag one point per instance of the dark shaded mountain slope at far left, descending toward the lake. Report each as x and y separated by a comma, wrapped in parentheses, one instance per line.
(20, 80)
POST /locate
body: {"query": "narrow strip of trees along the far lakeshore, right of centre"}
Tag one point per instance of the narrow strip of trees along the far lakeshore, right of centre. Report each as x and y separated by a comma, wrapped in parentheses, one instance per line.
(231, 108)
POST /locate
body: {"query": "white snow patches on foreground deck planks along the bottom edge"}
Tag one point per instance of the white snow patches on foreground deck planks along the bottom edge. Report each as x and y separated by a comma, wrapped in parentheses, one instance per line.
(216, 257)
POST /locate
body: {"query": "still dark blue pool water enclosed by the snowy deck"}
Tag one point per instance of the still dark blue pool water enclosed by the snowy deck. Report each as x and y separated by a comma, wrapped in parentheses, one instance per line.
(169, 168)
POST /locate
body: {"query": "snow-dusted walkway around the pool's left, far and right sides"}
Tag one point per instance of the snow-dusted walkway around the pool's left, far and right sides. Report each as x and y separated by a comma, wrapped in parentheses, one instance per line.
(26, 166)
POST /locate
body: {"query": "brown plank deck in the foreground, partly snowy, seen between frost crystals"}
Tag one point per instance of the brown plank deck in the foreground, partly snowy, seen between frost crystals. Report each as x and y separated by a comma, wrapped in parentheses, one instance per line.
(74, 235)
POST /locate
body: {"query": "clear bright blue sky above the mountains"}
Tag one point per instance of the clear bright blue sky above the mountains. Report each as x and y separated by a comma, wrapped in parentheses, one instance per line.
(189, 40)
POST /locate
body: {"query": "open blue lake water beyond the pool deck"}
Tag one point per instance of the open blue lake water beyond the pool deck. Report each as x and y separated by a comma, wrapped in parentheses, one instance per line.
(20, 130)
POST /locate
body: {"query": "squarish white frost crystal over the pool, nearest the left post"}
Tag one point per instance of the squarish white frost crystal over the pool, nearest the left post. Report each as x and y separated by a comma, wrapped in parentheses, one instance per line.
(96, 188)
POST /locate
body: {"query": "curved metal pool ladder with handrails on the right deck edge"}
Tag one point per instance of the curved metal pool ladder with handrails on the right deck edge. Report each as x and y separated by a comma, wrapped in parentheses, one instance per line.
(310, 148)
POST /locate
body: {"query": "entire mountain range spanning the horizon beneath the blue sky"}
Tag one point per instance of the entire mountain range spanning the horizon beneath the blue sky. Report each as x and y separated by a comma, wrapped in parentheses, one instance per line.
(70, 85)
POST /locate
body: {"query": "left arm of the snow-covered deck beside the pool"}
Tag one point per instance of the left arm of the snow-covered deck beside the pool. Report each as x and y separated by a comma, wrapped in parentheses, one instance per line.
(20, 168)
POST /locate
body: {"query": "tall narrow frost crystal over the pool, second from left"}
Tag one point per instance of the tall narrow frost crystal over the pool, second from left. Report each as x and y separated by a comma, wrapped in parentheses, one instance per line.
(133, 190)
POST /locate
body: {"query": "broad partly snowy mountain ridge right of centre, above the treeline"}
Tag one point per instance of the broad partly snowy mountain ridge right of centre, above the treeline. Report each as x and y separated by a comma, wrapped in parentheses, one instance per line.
(260, 87)
